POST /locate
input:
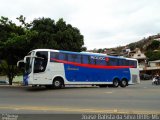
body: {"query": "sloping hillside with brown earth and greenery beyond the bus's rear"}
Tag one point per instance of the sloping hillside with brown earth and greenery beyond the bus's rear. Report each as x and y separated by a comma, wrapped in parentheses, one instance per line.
(150, 46)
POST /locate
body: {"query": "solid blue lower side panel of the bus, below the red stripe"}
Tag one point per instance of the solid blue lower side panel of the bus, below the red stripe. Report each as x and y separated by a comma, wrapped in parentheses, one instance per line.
(82, 74)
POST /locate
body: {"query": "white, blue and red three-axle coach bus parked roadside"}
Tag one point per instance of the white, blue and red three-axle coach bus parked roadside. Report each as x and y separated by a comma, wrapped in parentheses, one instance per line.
(57, 68)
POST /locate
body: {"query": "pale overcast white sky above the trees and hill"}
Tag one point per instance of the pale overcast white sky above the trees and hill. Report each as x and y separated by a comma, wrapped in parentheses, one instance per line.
(103, 23)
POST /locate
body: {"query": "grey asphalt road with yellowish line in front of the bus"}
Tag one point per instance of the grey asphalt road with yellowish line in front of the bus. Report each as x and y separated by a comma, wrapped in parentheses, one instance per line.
(141, 98)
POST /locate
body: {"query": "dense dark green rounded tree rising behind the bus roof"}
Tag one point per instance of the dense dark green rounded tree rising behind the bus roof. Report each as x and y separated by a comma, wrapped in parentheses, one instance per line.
(57, 35)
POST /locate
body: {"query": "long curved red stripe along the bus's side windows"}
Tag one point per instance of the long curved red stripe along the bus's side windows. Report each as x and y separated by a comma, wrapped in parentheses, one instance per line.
(90, 65)
